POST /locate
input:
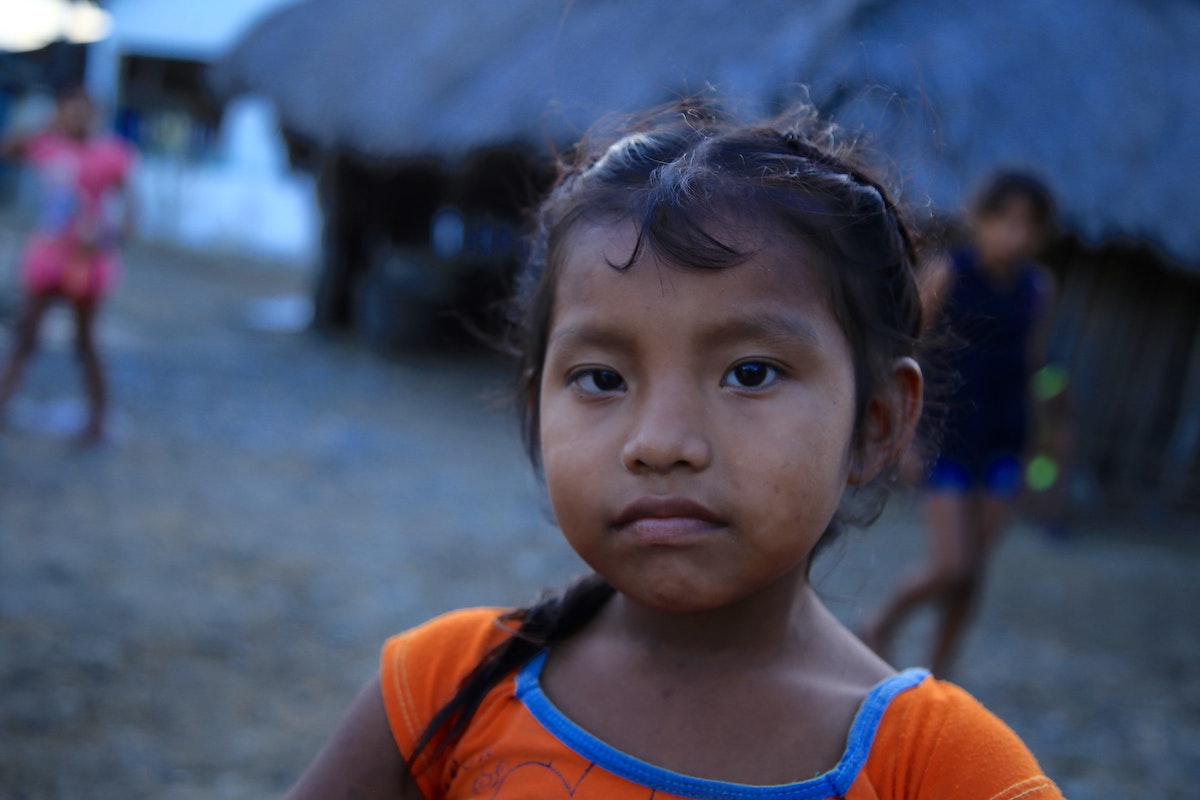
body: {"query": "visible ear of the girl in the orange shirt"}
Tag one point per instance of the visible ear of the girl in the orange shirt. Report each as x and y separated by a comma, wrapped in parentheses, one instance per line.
(891, 423)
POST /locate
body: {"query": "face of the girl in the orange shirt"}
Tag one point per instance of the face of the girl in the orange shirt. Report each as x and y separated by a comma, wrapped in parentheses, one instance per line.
(697, 425)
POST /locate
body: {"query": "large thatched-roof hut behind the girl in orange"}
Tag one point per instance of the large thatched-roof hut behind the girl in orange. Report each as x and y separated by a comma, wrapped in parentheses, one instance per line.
(429, 127)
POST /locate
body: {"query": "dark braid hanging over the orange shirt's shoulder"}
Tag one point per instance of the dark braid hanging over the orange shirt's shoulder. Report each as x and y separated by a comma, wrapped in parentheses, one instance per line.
(555, 618)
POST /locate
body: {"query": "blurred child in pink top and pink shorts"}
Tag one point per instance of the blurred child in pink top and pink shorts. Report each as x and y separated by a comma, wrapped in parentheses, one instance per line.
(73, 254)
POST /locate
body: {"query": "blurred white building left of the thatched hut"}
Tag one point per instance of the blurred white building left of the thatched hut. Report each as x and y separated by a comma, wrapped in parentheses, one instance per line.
(218, 184)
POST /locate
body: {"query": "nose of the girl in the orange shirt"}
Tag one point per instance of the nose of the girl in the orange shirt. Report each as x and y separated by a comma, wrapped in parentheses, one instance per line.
(669, 434)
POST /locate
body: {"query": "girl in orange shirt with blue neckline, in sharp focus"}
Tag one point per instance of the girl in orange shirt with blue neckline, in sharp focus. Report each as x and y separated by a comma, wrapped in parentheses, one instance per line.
(718, 326)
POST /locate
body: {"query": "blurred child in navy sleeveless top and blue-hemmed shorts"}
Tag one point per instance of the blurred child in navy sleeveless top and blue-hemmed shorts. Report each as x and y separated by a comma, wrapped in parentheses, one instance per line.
(993, 298)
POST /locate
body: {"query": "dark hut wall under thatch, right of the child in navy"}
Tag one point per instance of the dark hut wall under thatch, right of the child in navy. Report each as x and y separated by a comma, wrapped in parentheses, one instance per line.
(1129, 332)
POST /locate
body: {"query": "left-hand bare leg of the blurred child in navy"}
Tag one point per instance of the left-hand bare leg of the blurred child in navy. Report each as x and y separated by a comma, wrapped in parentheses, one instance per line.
(946, 521)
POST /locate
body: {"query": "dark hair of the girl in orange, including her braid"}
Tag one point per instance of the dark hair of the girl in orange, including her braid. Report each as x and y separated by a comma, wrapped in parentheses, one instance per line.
(679, 177)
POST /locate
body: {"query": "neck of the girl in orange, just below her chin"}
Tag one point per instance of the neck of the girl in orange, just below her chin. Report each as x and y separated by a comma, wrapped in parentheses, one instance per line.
(761, 625)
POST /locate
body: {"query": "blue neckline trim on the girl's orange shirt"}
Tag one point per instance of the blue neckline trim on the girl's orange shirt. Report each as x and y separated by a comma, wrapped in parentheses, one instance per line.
(831, 785)
